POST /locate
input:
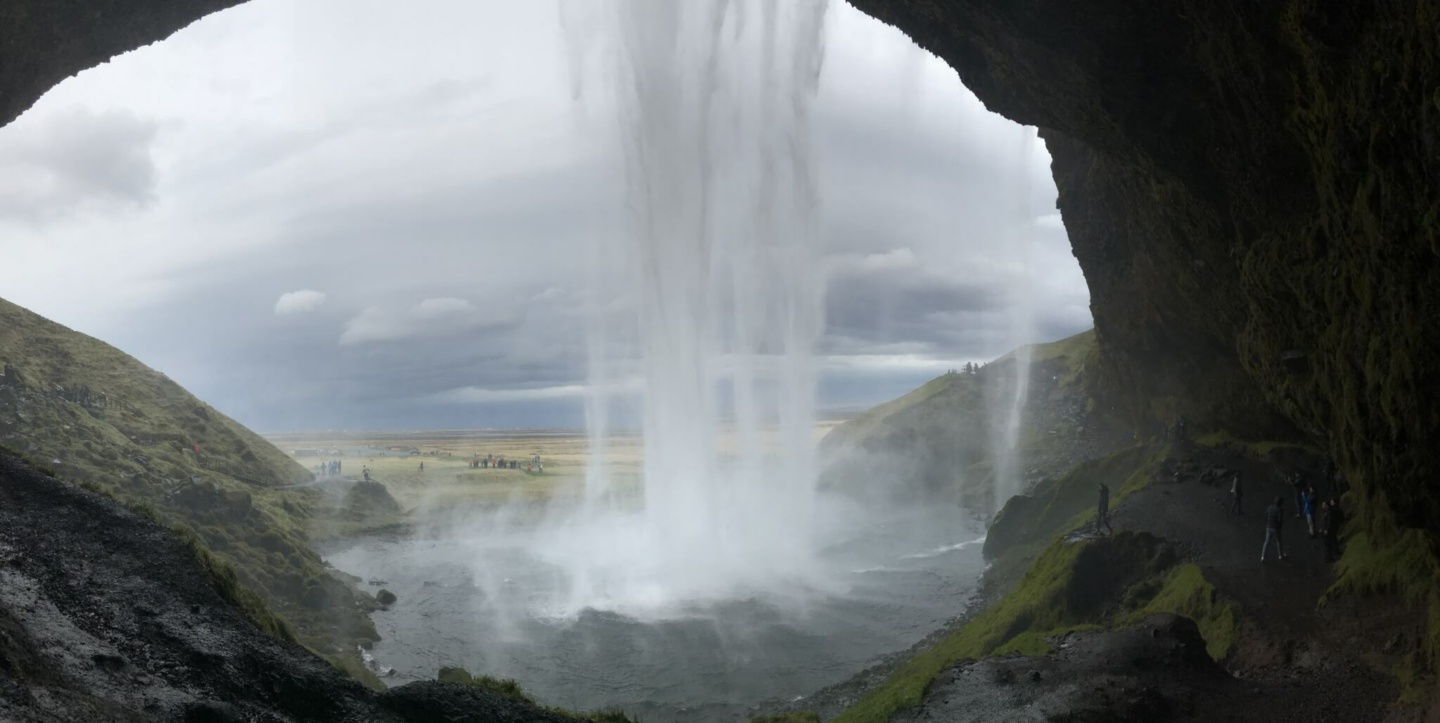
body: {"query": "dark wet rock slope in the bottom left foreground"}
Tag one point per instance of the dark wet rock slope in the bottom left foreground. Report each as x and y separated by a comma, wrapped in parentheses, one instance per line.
(104, 616)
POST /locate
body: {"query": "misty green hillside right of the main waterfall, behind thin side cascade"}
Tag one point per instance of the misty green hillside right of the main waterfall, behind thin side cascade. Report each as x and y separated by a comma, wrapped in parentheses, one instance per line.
(938, 441)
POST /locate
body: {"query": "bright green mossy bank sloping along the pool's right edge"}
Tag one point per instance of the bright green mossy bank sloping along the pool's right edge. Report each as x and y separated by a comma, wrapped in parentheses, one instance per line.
(1069, 585)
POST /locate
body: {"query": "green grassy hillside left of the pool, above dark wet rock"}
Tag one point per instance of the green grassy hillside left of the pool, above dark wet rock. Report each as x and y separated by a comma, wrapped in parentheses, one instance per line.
(97, 416)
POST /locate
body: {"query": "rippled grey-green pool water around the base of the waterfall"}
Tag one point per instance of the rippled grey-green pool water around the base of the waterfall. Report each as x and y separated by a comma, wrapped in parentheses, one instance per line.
(485, 603)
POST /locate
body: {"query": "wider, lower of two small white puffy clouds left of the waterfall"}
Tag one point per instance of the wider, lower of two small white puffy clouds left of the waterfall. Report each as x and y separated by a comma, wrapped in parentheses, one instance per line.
(433, 318)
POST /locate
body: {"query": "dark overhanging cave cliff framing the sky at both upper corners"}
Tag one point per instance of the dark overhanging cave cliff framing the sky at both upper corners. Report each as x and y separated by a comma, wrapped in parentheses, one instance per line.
(1252, 189)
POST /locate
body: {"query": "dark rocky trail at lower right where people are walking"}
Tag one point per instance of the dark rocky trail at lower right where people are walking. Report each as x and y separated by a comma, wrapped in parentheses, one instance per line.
(1295, 660)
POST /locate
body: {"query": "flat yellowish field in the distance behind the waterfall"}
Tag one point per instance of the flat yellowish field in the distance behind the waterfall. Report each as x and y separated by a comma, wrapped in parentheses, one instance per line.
(449, 480)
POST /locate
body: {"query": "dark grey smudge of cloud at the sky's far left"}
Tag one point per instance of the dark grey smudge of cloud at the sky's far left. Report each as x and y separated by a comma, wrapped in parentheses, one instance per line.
(74, 159)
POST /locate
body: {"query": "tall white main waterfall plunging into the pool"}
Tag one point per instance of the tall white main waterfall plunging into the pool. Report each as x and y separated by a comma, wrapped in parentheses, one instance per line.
(722, 290)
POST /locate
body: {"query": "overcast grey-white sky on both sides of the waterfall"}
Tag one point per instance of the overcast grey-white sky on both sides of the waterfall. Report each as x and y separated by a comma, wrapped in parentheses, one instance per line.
(329, 215)
